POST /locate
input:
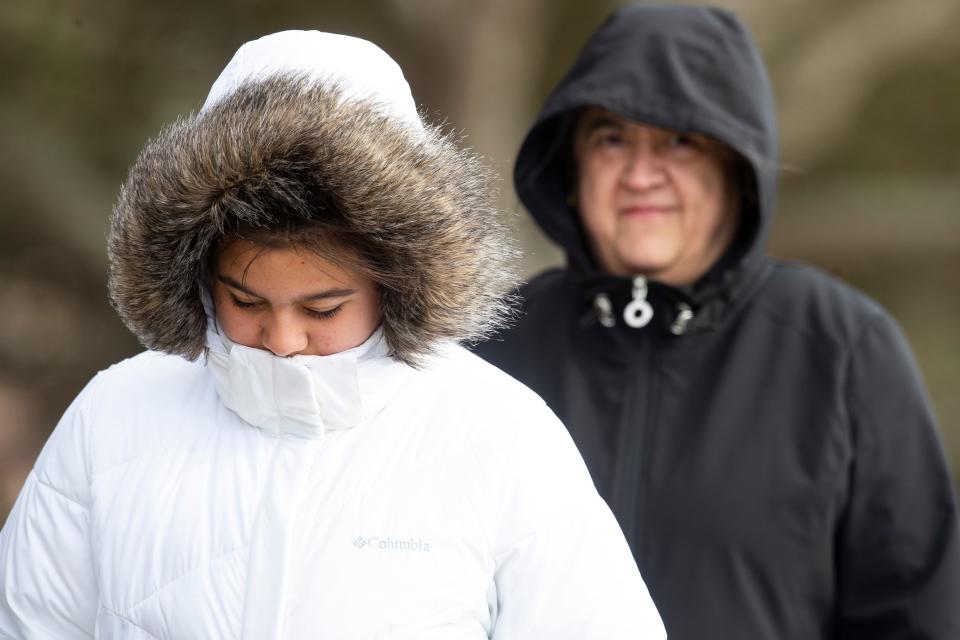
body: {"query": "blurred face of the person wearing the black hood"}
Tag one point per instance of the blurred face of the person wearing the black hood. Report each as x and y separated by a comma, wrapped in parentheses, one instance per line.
(653, 201)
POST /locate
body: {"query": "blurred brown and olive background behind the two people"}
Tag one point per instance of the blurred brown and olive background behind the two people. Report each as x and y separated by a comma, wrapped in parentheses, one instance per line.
(869, 104)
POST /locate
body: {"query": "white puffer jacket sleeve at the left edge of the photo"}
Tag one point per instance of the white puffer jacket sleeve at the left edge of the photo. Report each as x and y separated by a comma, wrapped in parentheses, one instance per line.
(47, 584)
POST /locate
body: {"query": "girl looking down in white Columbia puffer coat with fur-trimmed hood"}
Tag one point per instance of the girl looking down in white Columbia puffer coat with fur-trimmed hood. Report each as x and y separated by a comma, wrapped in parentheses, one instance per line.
(305, 451)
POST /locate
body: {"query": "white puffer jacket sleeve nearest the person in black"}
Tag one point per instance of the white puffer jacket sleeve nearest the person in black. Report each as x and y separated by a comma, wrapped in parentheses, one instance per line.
(564, 570)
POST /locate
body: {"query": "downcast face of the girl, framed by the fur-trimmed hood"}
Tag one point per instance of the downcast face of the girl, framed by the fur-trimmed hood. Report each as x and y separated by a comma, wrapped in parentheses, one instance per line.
(291, 301)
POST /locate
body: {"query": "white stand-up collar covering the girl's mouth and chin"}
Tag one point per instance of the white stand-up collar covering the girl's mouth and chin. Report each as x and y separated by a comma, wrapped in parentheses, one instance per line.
(303, 396)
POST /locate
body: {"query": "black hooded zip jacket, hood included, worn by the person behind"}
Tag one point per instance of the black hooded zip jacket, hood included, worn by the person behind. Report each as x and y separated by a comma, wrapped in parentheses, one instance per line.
(765, 442)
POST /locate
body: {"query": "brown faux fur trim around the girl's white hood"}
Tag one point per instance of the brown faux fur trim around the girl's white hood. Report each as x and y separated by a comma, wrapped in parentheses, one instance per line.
(282, 147)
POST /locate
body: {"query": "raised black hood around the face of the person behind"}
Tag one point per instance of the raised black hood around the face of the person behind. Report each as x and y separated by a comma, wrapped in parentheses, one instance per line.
(693, 69)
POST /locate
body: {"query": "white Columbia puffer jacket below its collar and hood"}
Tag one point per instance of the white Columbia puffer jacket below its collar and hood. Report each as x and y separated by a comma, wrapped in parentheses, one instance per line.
(458, 508)
